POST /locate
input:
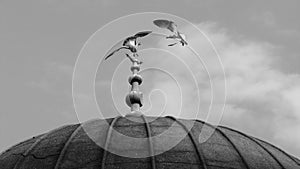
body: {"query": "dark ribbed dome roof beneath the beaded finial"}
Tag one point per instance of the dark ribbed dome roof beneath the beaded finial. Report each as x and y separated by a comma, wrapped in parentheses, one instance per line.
(69, 147)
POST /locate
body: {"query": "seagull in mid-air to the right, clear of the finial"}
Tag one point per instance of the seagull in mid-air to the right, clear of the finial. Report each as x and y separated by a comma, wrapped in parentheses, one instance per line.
(170, 25)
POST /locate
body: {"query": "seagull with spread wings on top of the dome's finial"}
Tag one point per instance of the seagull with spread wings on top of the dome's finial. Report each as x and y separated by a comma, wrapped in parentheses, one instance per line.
(131, 43)
